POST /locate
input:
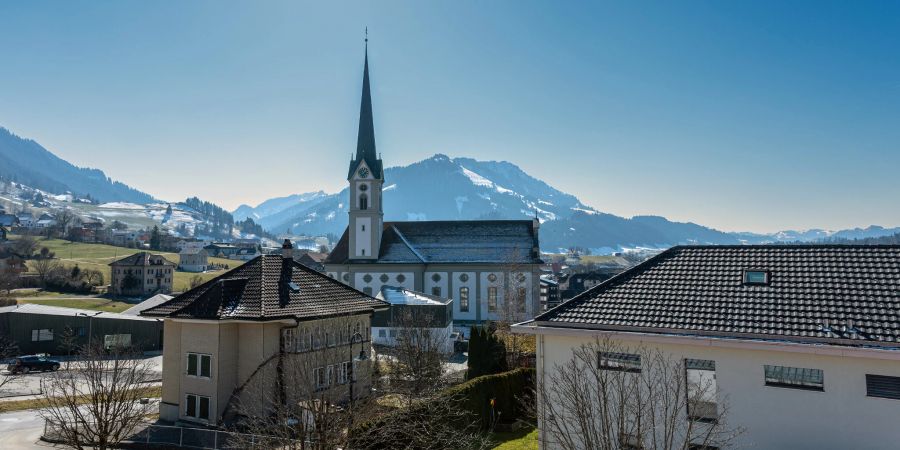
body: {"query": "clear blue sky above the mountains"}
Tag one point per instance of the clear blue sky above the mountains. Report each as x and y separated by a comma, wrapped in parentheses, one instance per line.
(739, 115)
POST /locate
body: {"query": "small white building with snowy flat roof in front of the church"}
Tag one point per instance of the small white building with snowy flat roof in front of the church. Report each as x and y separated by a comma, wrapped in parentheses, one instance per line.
(411, 308)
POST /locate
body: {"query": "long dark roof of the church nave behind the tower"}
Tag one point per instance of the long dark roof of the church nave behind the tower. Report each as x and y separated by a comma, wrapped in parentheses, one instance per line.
(453, 241)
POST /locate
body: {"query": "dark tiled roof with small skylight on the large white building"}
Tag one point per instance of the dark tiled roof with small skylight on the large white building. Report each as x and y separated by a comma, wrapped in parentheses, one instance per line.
(700, 290)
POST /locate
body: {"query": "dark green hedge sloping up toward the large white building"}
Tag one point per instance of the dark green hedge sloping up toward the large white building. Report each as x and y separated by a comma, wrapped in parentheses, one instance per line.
(472, 397)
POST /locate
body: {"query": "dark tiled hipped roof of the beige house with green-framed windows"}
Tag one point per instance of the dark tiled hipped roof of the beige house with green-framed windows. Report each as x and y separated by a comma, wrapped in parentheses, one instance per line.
(259, 290)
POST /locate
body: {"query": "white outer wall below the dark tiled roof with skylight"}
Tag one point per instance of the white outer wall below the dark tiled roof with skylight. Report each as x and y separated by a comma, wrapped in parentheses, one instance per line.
(840, 416)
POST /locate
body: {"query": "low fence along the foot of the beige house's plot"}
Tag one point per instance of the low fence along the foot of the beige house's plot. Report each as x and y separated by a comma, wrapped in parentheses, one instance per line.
(201, 438)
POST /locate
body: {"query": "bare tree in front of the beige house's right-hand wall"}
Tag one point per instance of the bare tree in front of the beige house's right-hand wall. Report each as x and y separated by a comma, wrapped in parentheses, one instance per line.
(301, 398)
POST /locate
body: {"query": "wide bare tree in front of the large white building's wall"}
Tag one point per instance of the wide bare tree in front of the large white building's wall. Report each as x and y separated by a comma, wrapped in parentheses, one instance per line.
(608, 397)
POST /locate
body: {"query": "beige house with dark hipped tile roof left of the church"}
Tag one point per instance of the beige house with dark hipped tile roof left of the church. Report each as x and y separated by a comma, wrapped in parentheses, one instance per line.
(226, 340)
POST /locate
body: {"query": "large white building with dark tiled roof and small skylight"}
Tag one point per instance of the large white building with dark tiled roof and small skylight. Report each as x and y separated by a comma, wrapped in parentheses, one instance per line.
(802, 342)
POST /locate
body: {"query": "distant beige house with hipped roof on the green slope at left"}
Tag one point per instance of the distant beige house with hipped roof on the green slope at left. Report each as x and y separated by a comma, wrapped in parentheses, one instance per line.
(140, 274)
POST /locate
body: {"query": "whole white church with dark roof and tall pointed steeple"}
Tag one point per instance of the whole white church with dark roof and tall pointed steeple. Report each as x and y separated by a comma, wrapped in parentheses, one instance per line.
(489, 268)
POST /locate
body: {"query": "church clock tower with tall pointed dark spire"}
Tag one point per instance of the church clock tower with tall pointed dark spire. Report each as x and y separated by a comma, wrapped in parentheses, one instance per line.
(366, 178)
